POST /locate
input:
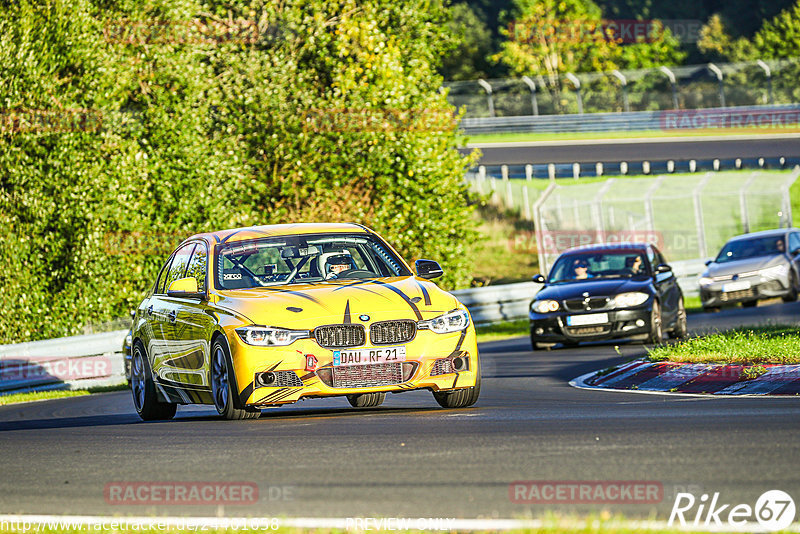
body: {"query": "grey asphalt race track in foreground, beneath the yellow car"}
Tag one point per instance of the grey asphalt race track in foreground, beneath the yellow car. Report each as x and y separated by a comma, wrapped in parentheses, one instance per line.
(409, 458)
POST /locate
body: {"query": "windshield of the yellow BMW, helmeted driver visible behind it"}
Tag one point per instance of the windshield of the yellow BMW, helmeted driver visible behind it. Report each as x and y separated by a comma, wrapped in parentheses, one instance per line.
(304, 259)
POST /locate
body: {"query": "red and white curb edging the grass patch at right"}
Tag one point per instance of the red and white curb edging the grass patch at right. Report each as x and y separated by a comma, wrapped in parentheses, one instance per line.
(701, 379)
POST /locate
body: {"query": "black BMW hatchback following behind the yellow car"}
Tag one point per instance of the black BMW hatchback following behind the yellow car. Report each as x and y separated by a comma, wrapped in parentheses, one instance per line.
(602, 292)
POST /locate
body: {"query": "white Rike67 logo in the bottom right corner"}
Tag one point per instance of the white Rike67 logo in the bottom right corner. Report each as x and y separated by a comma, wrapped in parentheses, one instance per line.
(774, 510)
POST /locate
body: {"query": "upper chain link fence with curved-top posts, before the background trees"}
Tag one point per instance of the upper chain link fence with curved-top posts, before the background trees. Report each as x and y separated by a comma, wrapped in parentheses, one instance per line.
(762, 82)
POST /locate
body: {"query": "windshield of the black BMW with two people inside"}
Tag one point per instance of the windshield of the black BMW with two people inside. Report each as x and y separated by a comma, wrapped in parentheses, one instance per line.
(576, 267)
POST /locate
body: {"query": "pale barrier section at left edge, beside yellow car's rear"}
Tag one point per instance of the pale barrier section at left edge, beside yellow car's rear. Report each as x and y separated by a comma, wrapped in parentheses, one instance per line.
(78, 361)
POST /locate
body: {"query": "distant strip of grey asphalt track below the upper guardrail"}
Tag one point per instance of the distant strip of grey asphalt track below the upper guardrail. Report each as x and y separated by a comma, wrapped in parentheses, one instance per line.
(626, 150)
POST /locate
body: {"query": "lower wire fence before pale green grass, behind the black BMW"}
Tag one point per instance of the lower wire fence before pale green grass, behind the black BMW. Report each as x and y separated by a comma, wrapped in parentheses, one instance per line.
(689, 217)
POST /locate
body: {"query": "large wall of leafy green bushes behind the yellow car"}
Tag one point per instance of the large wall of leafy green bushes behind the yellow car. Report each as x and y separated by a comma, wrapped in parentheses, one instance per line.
(127, 126)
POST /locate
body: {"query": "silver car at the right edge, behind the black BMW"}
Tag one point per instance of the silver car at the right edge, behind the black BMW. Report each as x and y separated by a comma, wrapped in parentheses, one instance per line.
(751, 267)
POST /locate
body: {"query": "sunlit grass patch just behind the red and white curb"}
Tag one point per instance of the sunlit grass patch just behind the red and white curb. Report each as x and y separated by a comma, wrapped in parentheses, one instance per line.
(743, 345)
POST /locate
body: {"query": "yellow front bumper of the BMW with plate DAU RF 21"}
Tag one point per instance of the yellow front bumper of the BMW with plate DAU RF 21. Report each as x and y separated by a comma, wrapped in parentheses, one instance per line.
(420, 369)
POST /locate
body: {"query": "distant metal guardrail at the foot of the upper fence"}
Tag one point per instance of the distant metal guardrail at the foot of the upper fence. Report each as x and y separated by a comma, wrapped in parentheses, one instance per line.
(775, 117)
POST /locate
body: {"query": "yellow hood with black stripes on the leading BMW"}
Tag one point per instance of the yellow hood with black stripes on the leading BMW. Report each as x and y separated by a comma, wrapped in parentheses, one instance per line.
(305, 306)
